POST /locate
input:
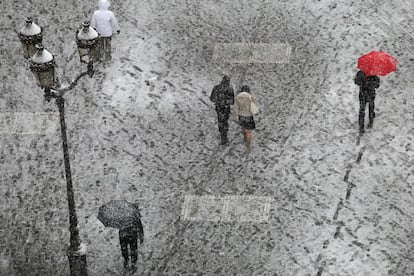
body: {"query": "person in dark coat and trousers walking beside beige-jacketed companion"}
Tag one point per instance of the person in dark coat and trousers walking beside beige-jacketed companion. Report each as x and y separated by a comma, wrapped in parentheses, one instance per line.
(223, 97)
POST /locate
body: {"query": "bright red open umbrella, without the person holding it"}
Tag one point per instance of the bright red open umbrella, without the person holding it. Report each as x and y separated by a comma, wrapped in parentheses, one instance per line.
(377, 63)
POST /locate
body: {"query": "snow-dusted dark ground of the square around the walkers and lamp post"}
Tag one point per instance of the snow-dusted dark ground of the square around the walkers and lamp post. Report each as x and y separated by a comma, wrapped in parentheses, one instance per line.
(337, 208)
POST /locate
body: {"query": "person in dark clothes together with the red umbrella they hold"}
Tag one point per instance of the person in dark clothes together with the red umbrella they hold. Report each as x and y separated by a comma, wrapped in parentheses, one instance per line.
(371, 66)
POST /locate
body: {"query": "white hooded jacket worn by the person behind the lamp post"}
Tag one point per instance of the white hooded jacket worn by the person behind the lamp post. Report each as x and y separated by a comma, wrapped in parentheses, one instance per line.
(103, 20)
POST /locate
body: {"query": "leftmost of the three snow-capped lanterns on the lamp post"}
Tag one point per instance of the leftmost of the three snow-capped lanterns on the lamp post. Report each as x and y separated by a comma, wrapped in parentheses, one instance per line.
(30, 35)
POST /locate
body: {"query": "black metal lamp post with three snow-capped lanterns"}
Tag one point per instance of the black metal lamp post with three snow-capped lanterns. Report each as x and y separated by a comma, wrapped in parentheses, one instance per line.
(42, 65)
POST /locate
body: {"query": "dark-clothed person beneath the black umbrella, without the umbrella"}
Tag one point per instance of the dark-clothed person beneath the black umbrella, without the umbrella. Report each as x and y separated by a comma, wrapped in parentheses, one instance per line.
(128, 237)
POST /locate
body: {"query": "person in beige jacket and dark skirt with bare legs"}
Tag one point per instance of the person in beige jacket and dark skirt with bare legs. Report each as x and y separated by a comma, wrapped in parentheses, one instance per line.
(243, 108)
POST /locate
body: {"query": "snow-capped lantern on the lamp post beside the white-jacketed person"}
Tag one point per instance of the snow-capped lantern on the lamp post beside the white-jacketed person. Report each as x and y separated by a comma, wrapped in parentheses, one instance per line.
(87, 40)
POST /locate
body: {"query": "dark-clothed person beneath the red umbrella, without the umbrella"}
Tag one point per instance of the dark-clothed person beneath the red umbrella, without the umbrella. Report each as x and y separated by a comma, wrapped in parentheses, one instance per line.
(367, 86)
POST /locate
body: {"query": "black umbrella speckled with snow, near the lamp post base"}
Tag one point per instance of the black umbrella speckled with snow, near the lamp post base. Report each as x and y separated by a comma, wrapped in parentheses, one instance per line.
(119, 214)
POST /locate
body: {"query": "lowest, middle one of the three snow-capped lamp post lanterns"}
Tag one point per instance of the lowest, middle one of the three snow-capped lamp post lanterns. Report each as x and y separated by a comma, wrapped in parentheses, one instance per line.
(42, 65)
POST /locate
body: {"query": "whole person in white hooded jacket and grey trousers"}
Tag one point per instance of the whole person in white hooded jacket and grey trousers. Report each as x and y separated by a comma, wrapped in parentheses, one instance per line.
(105, 23)
